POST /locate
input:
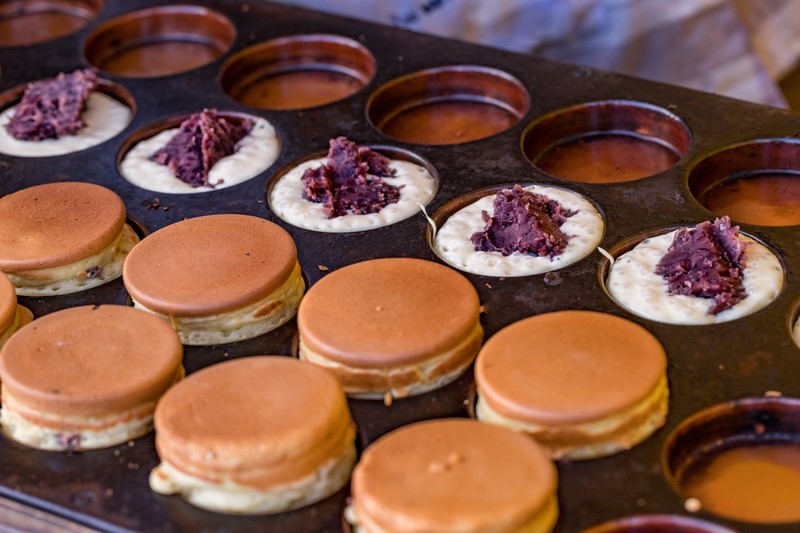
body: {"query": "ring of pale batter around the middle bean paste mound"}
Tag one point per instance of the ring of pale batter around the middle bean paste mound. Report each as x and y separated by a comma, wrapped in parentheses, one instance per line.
(284, 194)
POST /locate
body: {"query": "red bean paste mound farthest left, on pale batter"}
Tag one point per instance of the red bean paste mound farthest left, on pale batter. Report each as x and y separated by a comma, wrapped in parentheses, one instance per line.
(52, 108)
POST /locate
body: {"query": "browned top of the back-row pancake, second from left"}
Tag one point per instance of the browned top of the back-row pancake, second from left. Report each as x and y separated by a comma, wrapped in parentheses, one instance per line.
(209, 265)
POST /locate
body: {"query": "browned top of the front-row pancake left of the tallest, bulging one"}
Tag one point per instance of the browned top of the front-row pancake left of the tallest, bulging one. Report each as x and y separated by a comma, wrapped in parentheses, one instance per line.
(90, 360)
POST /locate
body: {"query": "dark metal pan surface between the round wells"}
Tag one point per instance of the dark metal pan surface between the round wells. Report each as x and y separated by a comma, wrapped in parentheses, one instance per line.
(108, 489)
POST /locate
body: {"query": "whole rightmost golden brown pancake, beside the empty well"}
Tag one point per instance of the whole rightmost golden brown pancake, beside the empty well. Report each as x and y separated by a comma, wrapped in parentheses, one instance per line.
(584, 384)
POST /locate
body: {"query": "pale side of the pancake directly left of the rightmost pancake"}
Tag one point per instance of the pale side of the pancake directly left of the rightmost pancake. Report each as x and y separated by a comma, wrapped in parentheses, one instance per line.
(423, 376)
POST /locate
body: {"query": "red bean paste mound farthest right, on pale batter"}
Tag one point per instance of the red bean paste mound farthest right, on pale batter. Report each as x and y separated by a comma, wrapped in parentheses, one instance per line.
(706, 261)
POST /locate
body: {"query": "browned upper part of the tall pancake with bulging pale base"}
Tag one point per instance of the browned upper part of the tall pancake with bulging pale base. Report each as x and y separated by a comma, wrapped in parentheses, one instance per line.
(259, 421)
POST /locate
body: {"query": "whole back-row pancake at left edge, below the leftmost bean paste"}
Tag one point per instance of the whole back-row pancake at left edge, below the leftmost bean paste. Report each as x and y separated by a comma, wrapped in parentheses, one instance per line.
(60, 238)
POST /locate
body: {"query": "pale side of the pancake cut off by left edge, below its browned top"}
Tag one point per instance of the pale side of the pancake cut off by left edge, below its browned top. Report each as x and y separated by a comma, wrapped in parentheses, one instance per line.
(67, 279)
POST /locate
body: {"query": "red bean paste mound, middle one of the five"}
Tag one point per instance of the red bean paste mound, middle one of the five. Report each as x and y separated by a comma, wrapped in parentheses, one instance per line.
(350, 181)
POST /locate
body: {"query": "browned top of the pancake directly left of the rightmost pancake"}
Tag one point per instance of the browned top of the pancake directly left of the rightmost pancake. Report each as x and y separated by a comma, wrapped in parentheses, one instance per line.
(385, 312)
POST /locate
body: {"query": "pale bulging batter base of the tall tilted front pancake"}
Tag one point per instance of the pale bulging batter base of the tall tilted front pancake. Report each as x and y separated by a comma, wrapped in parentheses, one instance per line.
(231, 497)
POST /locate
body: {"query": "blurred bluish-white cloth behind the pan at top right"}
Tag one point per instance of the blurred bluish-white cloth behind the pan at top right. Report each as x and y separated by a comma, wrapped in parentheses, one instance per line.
(737, 48)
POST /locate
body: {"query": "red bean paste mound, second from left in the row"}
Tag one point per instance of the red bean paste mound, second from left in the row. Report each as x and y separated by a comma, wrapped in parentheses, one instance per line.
(203, 139)
